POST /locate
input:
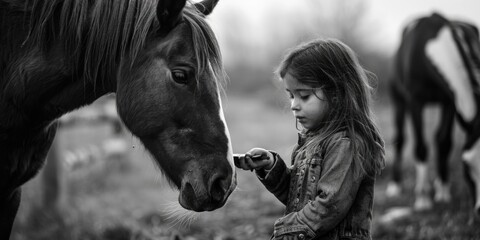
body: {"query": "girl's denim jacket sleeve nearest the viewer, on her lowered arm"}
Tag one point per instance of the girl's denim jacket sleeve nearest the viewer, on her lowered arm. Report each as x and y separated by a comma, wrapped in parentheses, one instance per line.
(336, 191)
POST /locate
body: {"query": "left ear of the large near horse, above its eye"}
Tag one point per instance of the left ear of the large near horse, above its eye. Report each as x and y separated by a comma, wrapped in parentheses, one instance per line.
(169, 12)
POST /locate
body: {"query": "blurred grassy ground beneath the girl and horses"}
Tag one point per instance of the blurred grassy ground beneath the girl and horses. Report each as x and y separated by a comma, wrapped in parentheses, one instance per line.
(130, 199)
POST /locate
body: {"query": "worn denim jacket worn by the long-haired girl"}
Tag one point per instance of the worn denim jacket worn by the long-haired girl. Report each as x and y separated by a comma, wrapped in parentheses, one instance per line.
(323, 199)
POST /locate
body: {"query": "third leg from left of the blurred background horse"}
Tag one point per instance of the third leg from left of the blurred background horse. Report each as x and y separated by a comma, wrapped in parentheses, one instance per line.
(444, 146)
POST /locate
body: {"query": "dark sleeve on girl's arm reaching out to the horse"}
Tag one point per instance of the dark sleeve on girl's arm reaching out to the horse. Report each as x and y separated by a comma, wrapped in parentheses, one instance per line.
(277, 179)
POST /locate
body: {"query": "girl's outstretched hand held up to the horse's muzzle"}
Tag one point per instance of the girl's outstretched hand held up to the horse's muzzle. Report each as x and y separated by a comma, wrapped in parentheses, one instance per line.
(256, 158)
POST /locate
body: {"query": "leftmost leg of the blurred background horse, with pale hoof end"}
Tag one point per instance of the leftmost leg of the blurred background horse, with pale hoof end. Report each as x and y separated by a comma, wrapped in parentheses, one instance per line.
(394, 186)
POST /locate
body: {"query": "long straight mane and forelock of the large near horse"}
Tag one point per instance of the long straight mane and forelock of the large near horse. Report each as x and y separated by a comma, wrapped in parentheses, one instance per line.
(98, 34)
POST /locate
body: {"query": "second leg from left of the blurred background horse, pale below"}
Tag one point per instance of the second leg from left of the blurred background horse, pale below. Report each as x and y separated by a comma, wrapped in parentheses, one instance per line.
(422, 187)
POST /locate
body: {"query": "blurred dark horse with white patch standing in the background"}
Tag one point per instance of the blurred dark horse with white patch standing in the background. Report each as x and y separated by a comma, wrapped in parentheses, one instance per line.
(438, 62)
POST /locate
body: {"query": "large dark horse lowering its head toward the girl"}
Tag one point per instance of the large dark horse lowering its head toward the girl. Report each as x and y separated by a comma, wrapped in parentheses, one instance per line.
(161, 59)
